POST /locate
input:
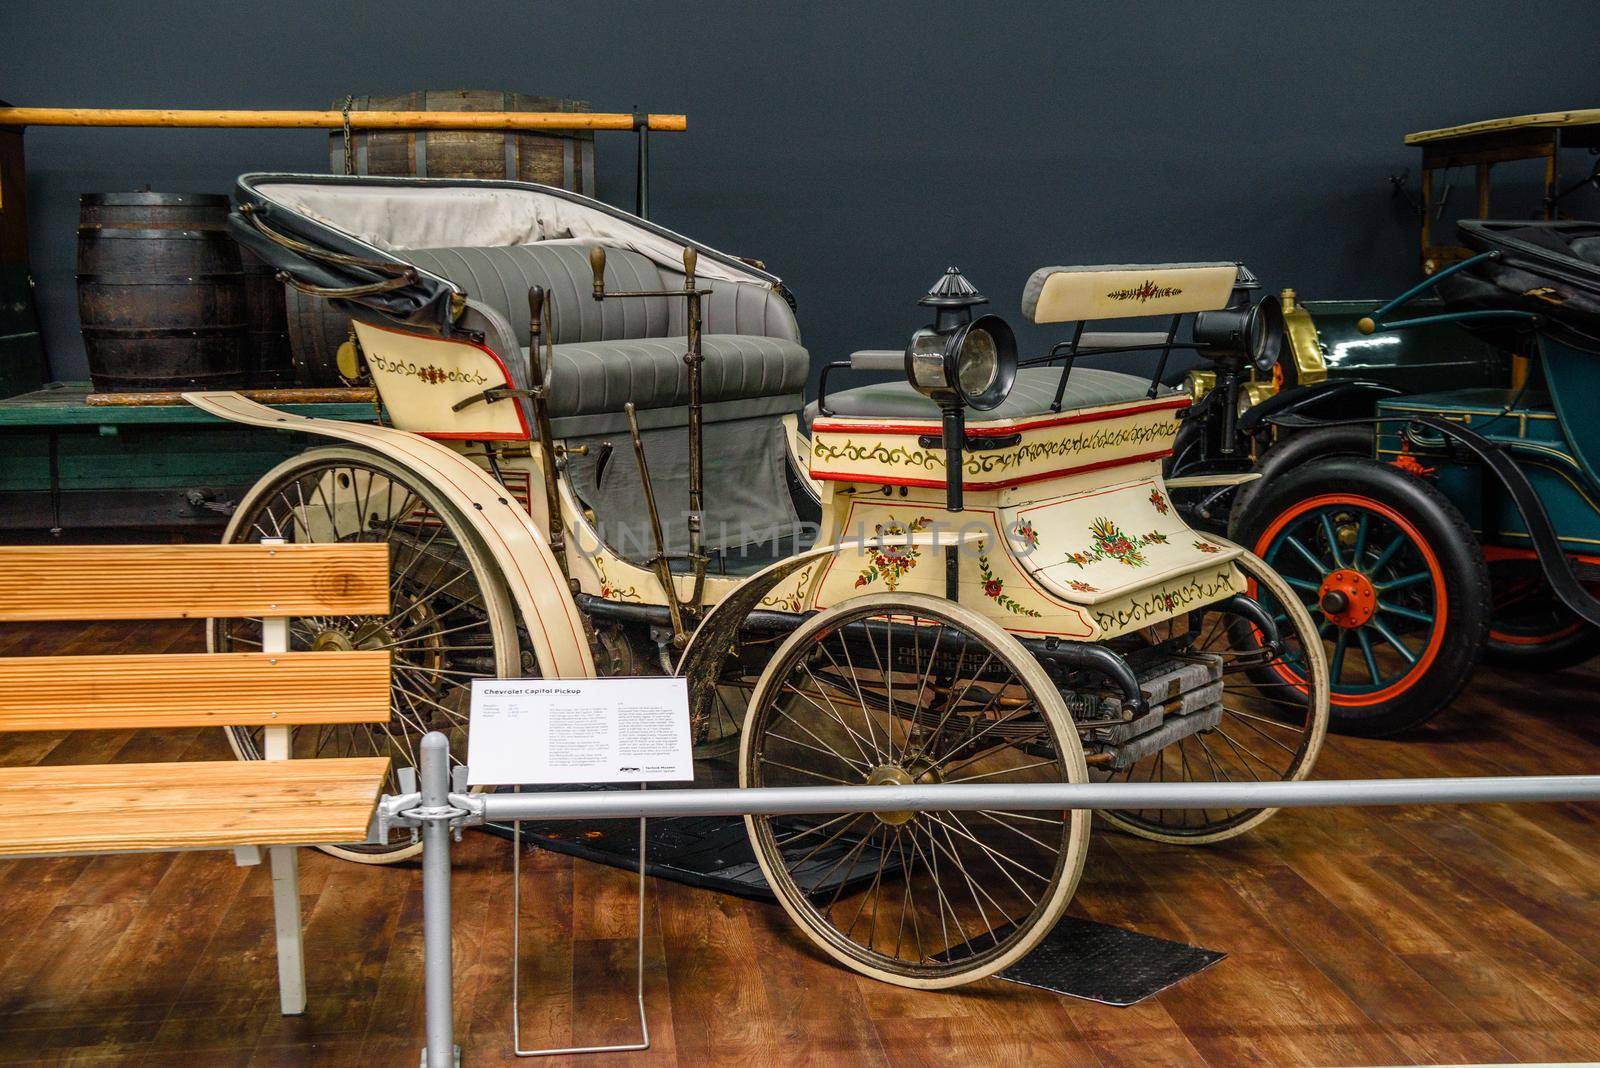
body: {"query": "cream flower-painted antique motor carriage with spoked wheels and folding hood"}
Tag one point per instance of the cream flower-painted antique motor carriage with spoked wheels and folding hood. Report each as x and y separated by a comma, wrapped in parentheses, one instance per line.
(598, 461)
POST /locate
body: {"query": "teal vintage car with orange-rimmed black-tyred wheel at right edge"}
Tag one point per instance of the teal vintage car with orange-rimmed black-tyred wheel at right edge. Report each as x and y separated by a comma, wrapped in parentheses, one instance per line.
(1481, 508)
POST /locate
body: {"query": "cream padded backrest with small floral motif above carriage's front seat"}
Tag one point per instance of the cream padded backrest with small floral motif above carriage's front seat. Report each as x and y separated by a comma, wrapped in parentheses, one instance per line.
(1068, 295)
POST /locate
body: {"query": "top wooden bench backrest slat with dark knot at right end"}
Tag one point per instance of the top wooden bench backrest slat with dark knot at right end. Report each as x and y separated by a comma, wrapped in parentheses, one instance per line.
(95, 583)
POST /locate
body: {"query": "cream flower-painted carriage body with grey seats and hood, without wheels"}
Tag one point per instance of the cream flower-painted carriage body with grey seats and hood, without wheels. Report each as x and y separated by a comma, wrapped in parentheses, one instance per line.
(1073, 533)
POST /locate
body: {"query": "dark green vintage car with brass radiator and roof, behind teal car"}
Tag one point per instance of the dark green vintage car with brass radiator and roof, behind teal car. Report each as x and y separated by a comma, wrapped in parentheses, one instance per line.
(1330, 372)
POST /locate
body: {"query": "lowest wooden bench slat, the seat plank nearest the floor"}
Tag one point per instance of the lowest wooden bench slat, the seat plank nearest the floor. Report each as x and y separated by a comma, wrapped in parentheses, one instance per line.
(193, 805)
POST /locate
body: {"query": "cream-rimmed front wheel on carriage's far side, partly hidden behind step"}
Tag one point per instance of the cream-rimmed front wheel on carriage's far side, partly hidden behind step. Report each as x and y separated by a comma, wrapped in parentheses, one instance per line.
(1273, 722)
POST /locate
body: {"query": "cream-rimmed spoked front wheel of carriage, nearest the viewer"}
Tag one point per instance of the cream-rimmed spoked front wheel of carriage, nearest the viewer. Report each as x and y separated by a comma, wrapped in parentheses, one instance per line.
(898, 690)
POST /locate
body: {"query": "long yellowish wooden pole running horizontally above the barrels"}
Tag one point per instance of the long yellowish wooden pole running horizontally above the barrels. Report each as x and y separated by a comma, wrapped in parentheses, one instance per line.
(222, 119)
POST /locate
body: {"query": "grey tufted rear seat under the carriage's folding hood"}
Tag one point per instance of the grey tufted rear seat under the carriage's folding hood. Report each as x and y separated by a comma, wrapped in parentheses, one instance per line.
(618, 351)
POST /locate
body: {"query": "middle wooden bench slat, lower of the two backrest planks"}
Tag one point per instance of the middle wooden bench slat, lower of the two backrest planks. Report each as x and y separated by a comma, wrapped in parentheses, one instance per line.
(193, 690)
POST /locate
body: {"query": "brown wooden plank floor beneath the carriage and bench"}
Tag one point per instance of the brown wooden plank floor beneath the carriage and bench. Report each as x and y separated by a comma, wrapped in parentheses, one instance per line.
(1356, 936)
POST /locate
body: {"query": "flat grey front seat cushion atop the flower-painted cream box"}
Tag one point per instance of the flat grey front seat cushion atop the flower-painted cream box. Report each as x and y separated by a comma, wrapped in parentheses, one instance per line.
(1033, 396)
